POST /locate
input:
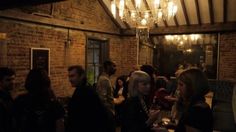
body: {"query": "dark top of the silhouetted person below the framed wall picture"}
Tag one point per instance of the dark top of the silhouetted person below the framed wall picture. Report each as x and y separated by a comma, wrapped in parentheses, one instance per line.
(35, 114)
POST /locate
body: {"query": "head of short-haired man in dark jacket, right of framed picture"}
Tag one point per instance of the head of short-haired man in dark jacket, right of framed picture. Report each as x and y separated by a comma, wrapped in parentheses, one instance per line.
(77, 75)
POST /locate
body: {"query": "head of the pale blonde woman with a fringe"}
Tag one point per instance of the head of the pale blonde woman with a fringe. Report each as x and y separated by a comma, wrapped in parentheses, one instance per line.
(139, 84)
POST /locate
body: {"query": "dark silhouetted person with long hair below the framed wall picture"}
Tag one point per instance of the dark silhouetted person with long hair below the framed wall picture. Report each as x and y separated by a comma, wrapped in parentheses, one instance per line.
(38, 111)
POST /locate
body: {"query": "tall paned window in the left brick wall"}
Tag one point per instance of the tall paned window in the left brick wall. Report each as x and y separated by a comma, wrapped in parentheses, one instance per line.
(96, 53)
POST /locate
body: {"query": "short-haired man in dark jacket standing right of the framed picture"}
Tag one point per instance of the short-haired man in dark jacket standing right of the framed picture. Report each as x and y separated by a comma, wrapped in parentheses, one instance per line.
(85, 109)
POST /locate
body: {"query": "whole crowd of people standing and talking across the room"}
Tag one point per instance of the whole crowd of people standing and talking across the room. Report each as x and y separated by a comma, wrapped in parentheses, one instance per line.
(133, 103)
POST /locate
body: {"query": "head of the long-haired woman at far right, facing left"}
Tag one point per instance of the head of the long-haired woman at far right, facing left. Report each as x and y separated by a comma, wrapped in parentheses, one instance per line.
(192, 84)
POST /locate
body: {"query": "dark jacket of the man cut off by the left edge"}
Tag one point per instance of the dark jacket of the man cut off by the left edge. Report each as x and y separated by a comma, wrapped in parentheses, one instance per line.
(6, 116)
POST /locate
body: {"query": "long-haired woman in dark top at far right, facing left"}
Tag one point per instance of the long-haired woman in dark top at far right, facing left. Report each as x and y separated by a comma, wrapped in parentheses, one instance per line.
(196, 114)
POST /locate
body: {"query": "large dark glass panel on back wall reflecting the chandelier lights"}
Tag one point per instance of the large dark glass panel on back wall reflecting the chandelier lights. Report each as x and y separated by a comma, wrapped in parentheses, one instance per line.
(186, 50)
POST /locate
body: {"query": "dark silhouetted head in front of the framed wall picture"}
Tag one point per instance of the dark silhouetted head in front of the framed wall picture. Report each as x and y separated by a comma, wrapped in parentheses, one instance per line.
(38, 83)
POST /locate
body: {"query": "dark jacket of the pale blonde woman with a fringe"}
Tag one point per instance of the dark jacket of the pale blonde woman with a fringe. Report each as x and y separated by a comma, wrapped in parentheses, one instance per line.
(135, 117)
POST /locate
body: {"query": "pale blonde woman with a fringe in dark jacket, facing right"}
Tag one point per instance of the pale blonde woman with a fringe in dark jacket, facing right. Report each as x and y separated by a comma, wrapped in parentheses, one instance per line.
(137, 117)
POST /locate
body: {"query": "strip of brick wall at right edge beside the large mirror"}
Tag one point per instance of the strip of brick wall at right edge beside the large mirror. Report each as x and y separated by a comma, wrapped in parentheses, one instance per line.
(227, 60)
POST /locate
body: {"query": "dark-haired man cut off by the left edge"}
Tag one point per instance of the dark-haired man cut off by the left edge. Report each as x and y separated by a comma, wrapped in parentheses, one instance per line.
(7, 77)
